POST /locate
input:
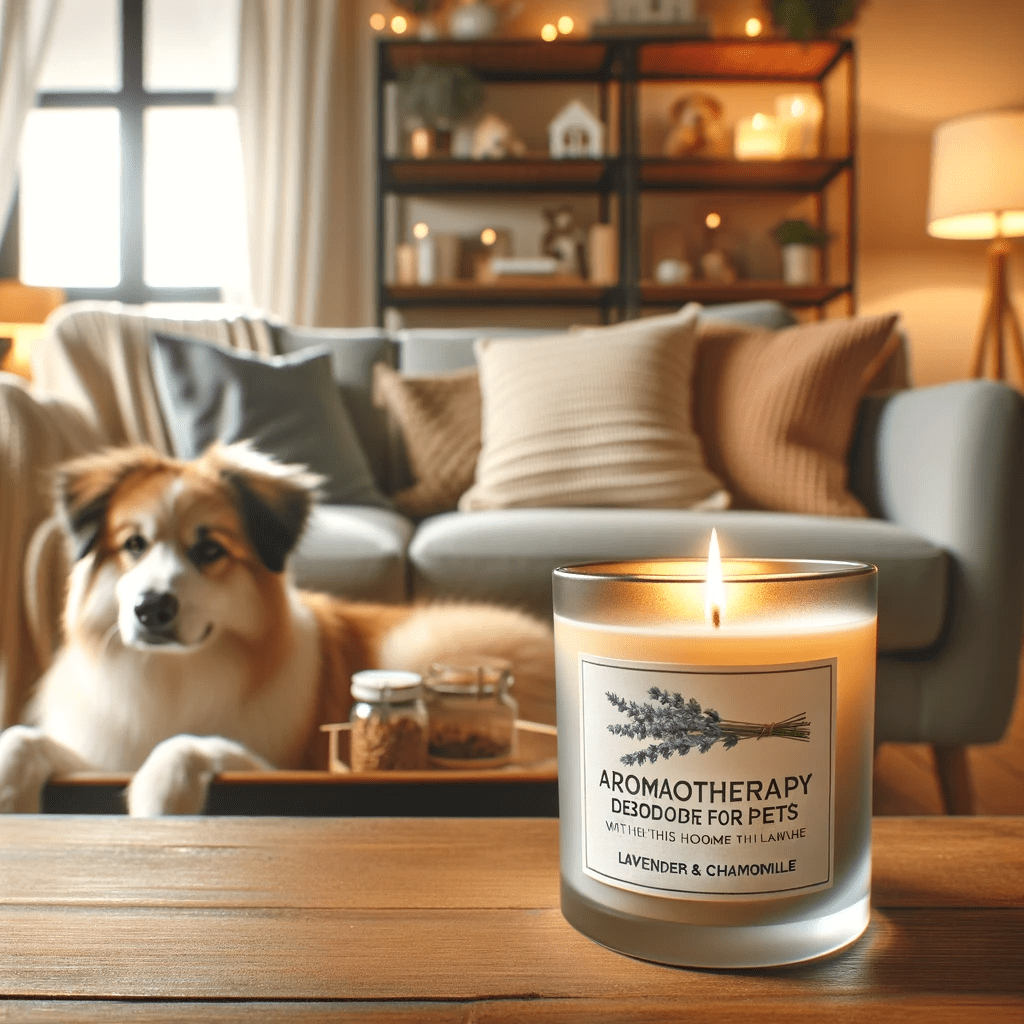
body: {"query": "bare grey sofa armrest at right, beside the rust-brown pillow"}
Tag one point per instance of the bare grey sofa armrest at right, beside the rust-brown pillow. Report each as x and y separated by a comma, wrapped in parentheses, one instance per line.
(948, 462)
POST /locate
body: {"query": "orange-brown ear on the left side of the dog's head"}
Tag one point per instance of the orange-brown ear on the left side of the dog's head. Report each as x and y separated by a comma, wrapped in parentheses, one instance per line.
(83, 489)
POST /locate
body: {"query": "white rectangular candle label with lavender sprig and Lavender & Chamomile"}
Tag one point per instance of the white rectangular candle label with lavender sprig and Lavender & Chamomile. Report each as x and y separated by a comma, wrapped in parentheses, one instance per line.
(708, 783)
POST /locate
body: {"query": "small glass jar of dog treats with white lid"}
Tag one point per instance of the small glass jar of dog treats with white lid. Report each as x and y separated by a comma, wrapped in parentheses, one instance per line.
(389, 721)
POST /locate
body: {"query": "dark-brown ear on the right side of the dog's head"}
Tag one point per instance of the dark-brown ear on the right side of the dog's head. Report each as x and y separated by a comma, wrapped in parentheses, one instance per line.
(274, 500)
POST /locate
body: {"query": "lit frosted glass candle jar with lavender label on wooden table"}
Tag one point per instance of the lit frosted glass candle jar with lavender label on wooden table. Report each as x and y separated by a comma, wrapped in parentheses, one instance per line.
(715, 782)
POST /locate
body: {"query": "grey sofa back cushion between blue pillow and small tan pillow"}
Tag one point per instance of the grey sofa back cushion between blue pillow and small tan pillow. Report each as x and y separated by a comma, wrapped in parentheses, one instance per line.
(355, 353)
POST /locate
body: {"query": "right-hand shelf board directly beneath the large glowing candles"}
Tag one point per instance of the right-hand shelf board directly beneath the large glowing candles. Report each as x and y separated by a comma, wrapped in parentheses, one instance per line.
(664, 173)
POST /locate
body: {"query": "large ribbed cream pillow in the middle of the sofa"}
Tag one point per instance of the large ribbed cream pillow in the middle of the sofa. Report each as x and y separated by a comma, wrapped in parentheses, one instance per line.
(599, 418)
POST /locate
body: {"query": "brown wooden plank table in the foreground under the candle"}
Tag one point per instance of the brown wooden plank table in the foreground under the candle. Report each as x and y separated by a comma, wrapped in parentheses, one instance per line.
(456, 920)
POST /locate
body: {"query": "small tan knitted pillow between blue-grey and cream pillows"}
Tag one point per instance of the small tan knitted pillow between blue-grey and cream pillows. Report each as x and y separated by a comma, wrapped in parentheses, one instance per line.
(440, 421)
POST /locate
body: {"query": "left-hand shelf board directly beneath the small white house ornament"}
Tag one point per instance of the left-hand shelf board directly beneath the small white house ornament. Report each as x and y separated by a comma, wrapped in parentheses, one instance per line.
(467, 176)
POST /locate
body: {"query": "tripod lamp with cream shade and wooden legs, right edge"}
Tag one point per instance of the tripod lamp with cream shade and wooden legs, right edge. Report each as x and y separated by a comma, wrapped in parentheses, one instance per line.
(977, 192)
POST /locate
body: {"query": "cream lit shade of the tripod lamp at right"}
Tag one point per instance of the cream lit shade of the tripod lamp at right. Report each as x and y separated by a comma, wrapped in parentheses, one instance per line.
(977, 189)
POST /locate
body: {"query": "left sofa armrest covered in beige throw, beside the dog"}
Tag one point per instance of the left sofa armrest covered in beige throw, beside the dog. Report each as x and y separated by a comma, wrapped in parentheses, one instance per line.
(36, 434)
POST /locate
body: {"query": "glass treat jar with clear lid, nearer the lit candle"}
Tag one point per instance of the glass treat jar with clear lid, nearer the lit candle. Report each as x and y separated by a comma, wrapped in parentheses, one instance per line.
(473, 714)
